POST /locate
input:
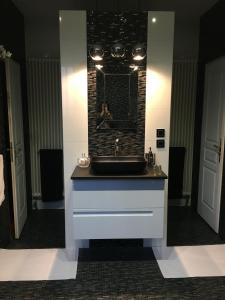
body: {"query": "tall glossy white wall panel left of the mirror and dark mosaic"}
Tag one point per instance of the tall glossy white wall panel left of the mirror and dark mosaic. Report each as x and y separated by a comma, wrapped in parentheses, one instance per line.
(73, 50)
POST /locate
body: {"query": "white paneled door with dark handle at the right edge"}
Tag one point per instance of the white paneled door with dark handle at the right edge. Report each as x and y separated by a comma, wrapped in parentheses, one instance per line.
(211, 161)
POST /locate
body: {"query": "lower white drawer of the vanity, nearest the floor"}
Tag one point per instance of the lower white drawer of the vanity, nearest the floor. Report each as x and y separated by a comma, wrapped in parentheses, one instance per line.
(148, 224)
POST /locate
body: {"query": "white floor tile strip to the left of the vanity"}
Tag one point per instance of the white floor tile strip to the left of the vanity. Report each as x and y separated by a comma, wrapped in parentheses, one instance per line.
(36, 264)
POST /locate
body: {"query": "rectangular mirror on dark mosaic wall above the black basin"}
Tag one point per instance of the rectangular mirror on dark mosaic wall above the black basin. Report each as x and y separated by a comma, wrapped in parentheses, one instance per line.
(117, 97)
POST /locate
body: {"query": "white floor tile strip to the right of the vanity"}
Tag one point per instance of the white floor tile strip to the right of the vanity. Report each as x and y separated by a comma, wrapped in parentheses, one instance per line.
(193, 261)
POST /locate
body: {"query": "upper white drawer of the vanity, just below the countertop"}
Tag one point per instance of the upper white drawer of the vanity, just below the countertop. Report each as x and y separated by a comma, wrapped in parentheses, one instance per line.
(117, 200)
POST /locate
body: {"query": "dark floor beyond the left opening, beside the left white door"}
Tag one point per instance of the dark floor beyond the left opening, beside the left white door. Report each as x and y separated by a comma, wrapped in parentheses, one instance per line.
(44, 229)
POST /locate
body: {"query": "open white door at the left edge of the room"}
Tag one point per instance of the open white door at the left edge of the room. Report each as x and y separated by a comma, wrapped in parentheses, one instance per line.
(15, 112)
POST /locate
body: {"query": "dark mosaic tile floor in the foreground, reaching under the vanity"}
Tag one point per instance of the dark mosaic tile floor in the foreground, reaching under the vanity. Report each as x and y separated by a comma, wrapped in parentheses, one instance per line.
(132, 273)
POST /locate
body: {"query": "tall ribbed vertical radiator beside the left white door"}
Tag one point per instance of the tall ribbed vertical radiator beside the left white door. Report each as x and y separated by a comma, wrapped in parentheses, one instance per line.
(45, 112)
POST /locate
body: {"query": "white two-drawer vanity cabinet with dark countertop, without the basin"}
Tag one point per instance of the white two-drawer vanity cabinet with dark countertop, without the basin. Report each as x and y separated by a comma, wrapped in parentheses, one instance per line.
(117, 206)
